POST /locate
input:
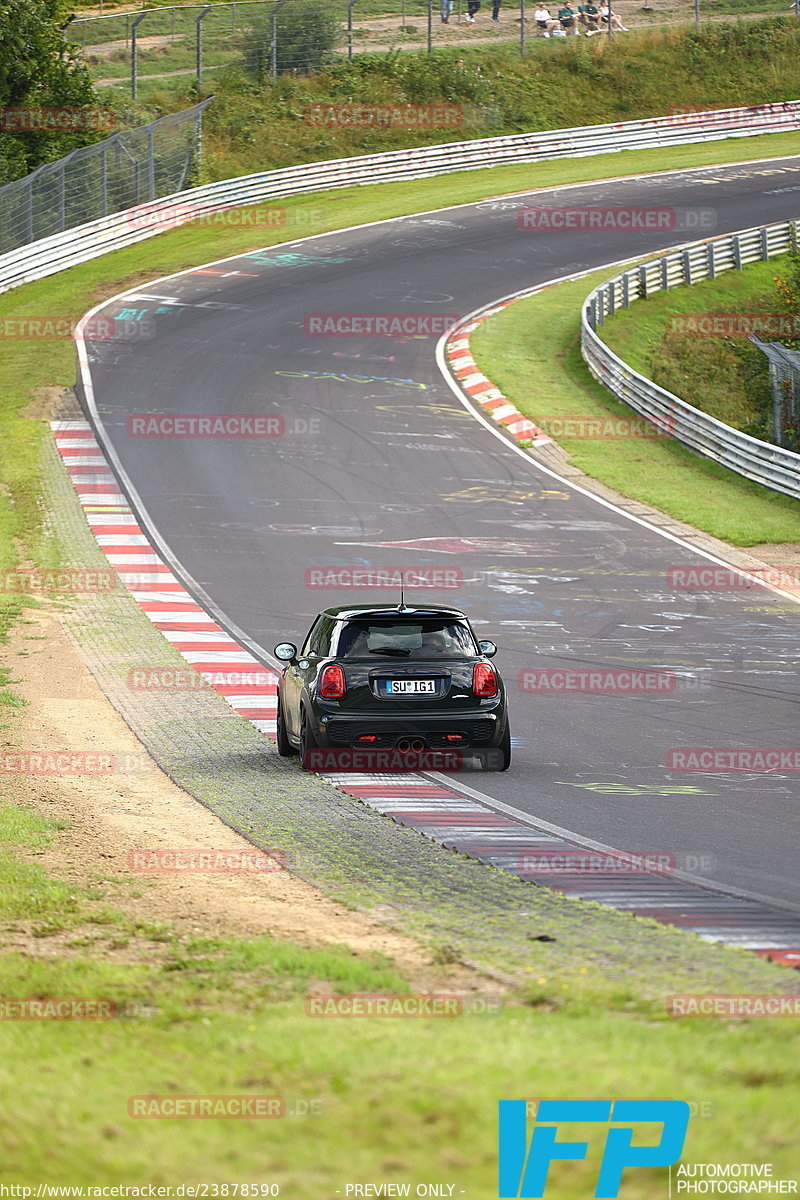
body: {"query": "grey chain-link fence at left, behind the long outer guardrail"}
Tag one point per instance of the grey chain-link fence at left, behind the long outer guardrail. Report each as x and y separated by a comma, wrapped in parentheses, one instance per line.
(129, 169)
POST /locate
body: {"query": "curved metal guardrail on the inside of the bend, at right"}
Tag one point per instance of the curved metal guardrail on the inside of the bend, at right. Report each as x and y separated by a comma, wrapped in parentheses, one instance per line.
(761, 461)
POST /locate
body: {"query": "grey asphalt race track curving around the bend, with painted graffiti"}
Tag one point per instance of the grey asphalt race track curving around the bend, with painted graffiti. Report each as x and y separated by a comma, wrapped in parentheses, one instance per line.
(381, 466)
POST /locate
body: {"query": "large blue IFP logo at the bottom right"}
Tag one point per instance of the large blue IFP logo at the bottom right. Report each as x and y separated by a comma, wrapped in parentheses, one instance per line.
(525, 1166)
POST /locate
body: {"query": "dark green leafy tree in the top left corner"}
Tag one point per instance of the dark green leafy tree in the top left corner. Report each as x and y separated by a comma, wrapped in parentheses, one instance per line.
(39, 70)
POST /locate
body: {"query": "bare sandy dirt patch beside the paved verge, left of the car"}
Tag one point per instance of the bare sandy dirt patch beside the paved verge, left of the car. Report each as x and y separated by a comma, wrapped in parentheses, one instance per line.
(139, 808)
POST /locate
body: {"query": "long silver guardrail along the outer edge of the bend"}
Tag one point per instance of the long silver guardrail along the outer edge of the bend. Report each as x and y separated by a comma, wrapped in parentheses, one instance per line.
(85, 243)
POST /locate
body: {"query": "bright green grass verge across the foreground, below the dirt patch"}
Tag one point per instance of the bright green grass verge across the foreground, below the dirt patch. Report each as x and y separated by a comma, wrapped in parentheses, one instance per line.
(400, 1100)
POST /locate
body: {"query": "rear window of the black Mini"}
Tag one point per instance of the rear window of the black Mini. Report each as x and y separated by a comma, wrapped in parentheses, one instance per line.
(429, 638)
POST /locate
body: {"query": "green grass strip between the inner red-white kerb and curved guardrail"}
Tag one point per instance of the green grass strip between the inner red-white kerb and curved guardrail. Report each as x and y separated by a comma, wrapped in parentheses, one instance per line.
(550, 382)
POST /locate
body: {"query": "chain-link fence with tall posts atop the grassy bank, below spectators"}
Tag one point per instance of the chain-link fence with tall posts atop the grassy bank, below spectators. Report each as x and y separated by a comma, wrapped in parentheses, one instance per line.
(163, 46)
